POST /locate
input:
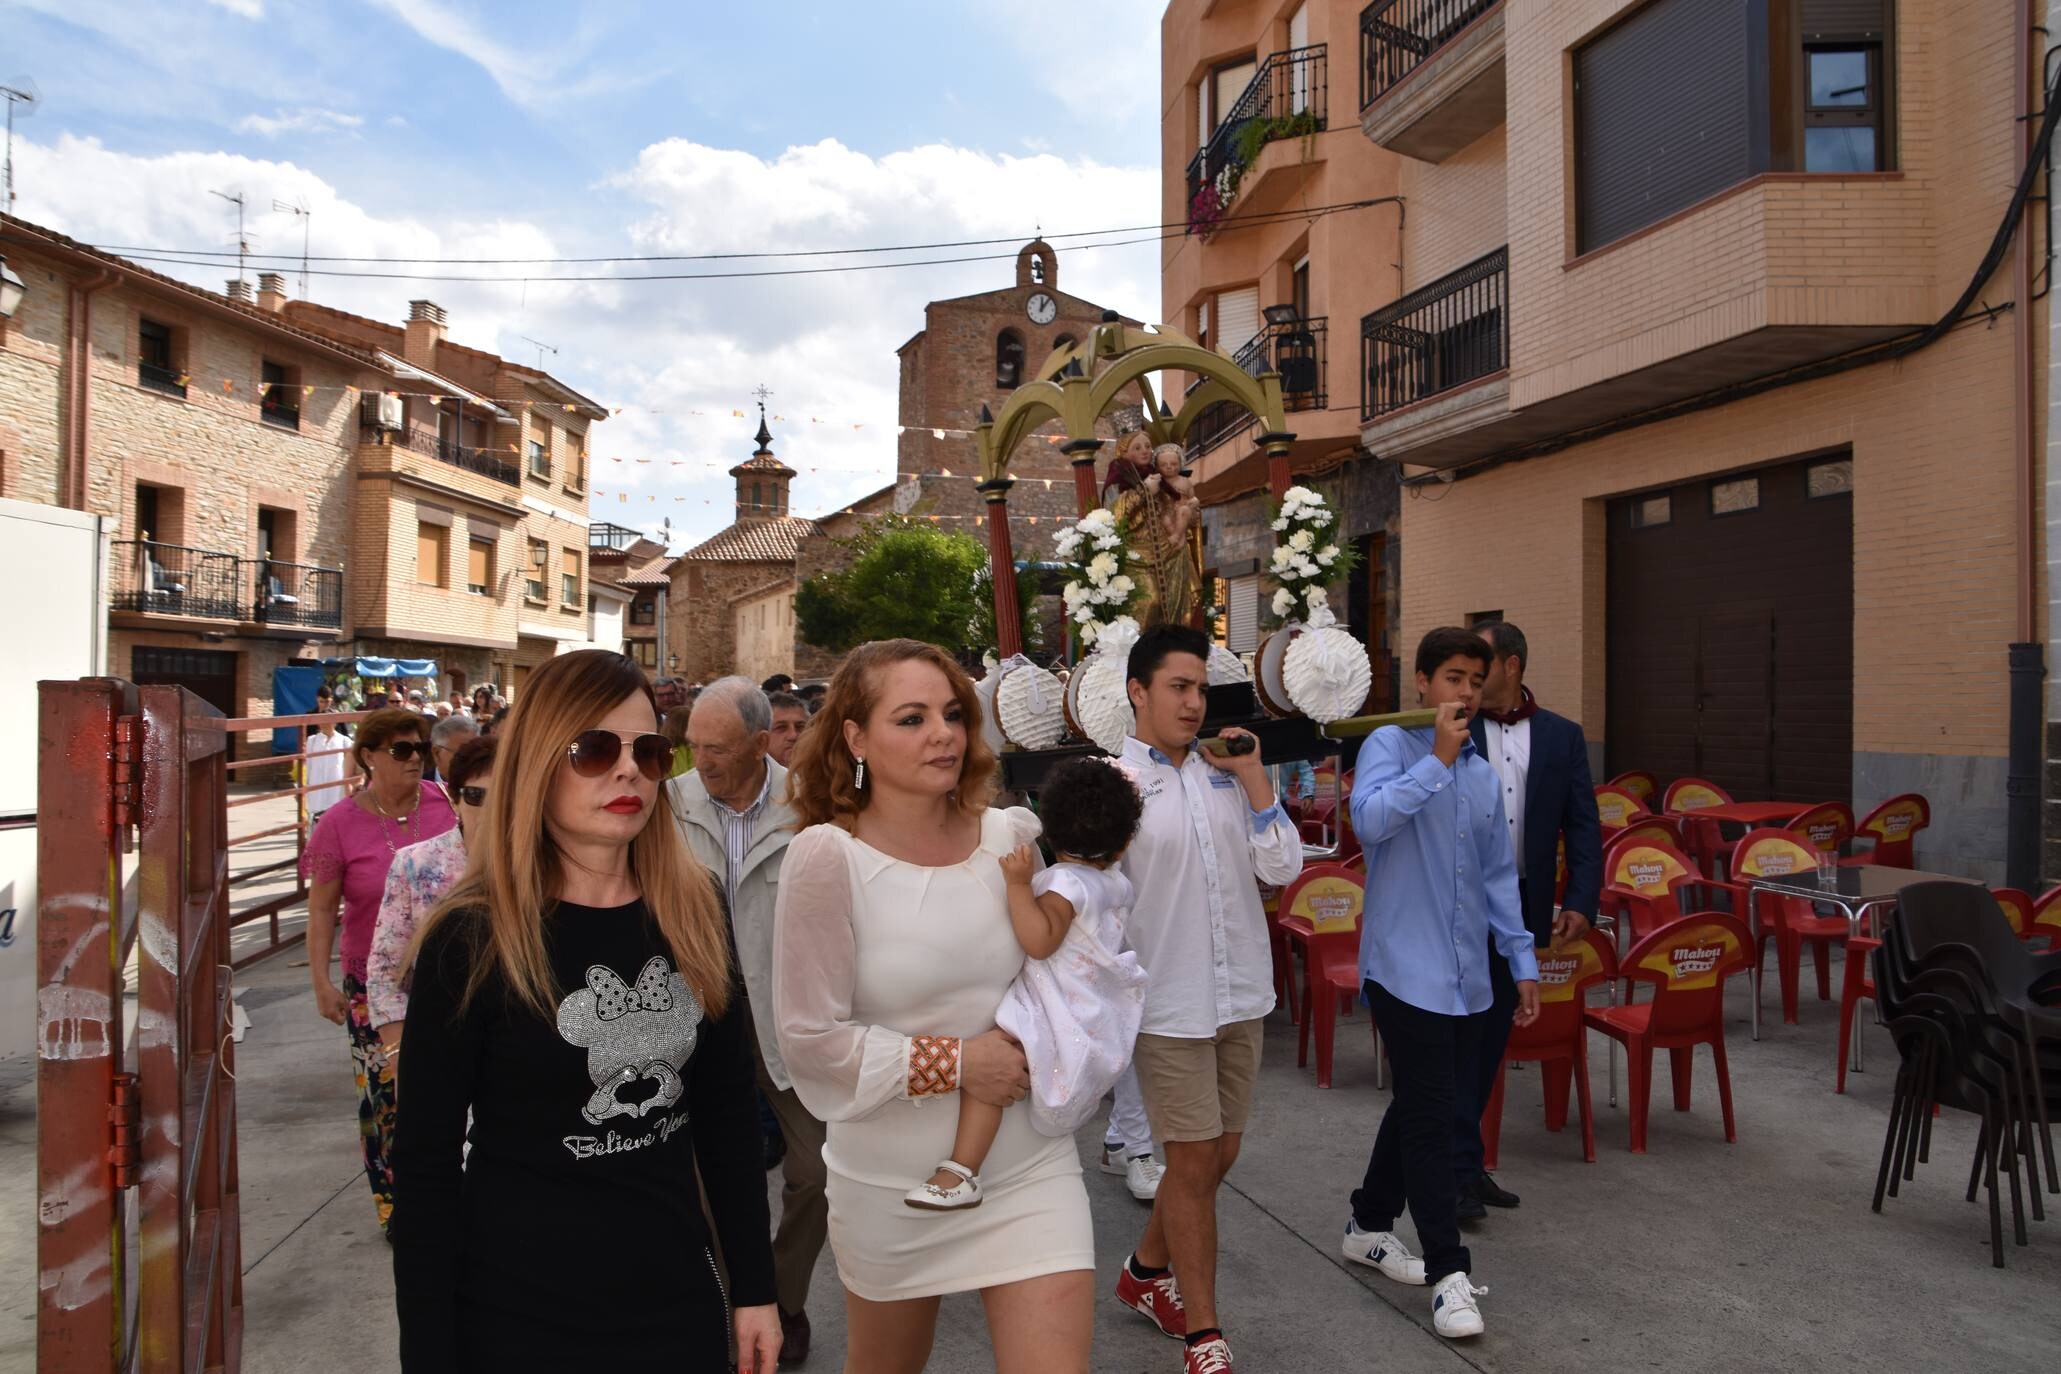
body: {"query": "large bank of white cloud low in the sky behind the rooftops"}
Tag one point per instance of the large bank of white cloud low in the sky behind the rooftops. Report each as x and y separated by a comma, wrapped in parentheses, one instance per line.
(663, 351)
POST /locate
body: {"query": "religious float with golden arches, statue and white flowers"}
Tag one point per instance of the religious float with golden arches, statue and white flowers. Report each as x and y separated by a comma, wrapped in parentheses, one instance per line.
(1137, 563)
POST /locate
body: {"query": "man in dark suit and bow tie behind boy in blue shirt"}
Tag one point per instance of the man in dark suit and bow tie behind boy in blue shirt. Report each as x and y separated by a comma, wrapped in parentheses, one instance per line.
(1543, 761)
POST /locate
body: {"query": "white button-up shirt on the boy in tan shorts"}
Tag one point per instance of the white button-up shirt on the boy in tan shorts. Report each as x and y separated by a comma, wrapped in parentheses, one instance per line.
(1196, 866)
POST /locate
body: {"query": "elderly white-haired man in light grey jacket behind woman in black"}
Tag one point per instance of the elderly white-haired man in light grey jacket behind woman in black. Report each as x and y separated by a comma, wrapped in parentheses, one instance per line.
(735, 815)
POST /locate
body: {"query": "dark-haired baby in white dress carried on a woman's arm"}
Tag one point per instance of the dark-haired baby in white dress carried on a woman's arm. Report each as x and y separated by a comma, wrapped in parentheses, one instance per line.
(1079, 998)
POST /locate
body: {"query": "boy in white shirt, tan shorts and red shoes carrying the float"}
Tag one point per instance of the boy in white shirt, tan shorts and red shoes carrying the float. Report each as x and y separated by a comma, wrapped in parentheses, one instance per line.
(1213, 831)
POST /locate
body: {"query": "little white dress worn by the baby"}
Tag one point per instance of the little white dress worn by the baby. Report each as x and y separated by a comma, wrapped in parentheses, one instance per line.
(1077, 1010)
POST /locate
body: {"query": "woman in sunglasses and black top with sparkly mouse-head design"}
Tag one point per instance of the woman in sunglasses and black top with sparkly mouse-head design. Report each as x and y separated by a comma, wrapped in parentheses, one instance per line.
(572, 998)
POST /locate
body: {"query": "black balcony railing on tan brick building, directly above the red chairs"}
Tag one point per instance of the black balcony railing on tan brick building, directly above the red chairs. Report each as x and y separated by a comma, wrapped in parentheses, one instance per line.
(1440, 337)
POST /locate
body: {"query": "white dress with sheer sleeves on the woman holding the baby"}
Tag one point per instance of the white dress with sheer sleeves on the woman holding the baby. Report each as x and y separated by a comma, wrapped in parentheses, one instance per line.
(869, 953)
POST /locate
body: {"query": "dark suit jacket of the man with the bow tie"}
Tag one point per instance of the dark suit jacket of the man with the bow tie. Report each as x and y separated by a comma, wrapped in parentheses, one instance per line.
(1559, 802)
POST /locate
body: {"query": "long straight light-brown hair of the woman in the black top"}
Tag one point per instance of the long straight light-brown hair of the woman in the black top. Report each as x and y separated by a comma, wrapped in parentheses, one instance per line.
(516, 870)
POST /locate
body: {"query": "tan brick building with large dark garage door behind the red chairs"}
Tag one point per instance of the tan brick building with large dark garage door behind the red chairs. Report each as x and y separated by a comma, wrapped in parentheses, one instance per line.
(1631, 394)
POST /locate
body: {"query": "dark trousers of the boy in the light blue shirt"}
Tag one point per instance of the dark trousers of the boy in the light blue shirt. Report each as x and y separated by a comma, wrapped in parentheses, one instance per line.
(1413, 1159)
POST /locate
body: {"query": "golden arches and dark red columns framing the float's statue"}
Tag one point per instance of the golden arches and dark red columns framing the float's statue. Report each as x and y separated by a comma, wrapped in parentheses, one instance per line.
(1077, 386)
